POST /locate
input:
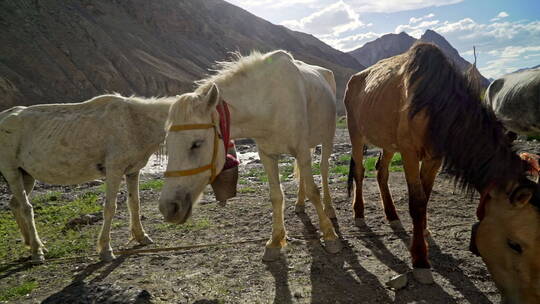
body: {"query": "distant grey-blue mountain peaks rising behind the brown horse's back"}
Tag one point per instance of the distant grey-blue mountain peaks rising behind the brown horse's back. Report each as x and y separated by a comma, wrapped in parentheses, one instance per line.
(394, 44)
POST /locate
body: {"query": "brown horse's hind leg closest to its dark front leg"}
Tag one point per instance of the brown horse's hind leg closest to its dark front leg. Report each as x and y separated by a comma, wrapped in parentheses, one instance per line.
(382, 179)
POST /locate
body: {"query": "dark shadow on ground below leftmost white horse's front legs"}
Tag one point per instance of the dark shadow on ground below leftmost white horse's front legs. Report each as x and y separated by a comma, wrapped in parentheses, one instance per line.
(95, 291)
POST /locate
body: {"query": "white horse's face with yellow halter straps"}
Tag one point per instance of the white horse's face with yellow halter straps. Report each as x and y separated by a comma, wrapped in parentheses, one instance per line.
(188, 150)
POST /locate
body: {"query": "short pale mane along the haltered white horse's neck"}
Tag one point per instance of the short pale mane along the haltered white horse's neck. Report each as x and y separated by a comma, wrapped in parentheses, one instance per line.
(238, 64)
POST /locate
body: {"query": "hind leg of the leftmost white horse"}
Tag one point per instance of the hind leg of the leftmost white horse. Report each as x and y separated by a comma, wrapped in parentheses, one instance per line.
(19, 183)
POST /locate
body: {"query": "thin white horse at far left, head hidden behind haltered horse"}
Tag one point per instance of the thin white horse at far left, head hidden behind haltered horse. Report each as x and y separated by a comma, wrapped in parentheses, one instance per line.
(108, 136)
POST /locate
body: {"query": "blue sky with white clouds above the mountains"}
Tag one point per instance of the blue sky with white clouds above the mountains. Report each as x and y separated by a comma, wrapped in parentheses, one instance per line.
(506, 33)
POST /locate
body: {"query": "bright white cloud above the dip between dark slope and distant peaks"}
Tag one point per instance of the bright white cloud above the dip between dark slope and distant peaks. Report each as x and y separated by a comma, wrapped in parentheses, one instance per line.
(334, 20)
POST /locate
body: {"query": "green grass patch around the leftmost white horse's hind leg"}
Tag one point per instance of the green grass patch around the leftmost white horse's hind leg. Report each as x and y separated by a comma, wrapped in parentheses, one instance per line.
(51, 215)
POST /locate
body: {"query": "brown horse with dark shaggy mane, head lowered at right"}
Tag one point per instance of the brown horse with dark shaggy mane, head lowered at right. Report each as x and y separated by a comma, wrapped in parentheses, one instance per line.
(419, 105)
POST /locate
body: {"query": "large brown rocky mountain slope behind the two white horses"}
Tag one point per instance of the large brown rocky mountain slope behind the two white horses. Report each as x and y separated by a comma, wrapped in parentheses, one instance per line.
(68, 51)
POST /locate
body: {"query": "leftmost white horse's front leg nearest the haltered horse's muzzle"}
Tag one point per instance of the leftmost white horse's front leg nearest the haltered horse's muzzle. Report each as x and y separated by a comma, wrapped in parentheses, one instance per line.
(137, 231)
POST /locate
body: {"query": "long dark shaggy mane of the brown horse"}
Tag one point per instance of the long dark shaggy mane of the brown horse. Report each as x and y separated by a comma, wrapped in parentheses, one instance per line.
(461, 129)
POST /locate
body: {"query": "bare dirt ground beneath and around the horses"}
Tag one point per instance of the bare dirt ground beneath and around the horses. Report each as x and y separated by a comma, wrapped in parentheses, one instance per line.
(234, 273)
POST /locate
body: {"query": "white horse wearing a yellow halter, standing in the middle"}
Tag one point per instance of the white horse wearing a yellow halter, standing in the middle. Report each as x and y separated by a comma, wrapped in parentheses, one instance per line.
(285, 105)
